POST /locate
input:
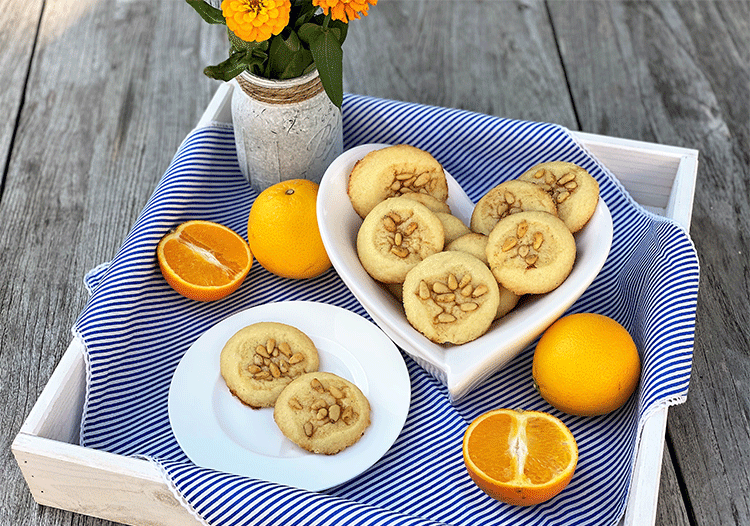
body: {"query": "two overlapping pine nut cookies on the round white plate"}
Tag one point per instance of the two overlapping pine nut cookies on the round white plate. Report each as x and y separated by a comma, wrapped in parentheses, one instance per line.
(270, 364)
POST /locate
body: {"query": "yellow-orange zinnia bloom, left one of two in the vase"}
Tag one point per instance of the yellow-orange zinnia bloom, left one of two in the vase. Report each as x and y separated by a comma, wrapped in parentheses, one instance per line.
(256, 20)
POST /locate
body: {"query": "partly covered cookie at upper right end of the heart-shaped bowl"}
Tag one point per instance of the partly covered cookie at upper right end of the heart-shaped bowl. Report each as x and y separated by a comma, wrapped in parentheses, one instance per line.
(574, 190)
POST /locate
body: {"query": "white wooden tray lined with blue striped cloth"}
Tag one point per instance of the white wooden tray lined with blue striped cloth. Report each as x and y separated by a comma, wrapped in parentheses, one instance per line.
(64, 475)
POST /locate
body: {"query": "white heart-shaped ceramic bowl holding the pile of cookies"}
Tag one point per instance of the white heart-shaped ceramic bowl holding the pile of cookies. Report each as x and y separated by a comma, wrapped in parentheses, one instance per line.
(463, 367)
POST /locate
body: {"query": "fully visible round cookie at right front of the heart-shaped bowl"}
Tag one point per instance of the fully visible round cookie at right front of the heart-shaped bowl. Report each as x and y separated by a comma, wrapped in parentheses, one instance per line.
(531, 252)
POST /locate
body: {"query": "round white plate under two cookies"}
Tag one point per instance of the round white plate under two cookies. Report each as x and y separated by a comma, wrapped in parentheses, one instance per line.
(217, 431)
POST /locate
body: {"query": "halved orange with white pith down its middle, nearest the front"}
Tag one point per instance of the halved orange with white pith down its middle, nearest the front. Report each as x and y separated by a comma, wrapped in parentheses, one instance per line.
(520, 457)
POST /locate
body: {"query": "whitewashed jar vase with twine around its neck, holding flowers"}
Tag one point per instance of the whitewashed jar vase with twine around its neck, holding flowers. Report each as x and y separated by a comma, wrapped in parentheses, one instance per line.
(284, 129)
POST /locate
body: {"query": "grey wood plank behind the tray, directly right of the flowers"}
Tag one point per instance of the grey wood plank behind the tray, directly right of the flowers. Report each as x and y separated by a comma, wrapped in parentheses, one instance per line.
(497, 58)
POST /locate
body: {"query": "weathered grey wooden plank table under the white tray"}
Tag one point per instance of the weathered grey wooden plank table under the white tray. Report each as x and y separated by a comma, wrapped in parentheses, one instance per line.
(96, 96)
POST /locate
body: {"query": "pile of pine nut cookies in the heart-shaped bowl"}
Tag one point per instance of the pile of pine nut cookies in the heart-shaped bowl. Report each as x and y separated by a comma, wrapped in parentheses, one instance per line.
(454, 279)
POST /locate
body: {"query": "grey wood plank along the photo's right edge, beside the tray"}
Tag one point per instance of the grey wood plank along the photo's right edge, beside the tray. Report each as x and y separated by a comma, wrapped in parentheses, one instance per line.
(679, 73)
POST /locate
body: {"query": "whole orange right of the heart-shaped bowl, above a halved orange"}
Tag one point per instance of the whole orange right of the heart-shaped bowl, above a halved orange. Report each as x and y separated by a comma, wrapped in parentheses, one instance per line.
(586, 364)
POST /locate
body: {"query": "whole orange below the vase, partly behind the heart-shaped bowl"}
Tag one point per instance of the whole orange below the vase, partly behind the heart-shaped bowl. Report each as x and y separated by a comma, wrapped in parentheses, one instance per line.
(282, 230)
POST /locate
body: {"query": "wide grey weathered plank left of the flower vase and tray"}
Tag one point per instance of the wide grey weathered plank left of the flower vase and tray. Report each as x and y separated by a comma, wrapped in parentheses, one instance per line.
(113, 90)
